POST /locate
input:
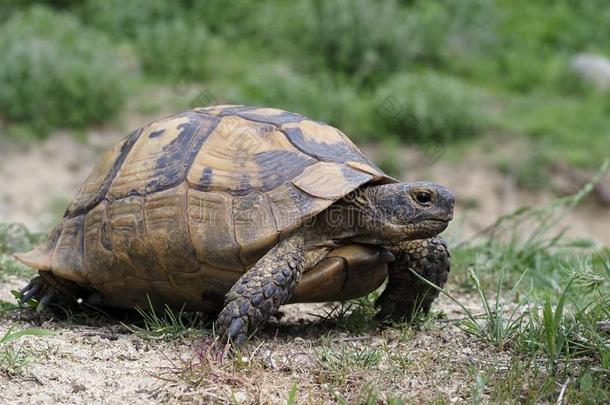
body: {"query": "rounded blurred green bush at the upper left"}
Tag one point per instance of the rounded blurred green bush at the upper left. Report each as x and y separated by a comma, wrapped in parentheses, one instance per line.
(56, 72)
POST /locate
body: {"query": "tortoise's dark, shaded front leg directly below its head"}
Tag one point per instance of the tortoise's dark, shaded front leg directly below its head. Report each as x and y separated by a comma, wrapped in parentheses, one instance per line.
(405, 294)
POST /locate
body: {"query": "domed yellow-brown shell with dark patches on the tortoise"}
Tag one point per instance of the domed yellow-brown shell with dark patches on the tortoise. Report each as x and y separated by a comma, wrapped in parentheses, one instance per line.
(184, 205)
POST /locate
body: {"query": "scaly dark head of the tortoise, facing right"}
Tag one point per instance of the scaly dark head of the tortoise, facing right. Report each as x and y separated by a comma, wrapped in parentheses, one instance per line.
(403, 211)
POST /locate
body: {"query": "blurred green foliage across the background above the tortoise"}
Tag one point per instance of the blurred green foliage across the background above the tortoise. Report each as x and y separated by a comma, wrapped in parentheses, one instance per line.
(491, 65)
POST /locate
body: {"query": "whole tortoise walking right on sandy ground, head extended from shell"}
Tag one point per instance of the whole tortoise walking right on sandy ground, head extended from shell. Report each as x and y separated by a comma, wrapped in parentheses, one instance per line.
(235, 210)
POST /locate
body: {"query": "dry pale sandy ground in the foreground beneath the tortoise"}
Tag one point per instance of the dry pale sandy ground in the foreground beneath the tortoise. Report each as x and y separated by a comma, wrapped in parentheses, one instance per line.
(103, 364)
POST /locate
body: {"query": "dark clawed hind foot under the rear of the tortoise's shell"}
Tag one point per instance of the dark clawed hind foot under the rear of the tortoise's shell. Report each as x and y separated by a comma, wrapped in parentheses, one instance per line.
(47, 289)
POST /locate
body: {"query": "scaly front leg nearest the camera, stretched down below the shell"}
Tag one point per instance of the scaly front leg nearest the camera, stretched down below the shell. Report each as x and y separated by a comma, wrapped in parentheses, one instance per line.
(261, 291)
